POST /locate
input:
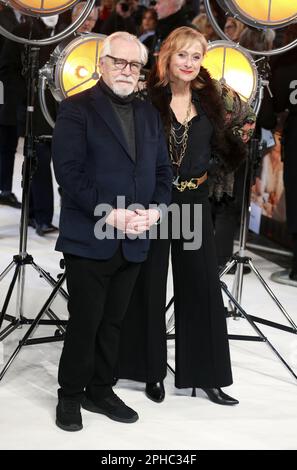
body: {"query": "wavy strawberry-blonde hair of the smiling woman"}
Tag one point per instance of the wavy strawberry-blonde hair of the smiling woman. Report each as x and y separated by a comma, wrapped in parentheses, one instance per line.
(176, 40)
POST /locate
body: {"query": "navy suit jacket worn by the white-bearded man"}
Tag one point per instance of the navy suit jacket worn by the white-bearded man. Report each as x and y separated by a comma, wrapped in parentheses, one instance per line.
(92, 165)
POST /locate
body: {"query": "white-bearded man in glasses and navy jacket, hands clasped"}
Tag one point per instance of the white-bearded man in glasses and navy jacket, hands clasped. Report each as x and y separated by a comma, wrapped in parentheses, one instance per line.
(106, 144)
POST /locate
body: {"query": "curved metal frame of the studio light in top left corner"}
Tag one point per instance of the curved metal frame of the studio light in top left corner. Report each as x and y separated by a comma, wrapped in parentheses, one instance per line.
(57, 37)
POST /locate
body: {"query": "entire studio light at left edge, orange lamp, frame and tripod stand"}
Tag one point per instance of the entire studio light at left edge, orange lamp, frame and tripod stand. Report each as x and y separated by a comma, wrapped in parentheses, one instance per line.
(23, 259)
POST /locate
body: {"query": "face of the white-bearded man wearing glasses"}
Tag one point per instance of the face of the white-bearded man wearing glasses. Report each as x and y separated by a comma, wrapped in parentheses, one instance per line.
(122, 80)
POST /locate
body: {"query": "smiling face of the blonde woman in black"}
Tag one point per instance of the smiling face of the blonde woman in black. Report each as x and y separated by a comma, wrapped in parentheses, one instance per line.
(185, 64)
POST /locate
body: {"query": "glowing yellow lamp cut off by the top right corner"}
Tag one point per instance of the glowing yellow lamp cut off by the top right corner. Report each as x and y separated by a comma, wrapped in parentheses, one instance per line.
(269, 13)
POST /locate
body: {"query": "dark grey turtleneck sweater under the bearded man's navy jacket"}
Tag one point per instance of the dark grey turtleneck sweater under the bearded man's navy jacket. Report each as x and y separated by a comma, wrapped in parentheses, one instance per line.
(123, 108)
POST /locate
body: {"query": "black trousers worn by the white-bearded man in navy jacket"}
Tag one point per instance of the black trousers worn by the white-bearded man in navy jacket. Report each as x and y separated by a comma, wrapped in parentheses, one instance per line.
(99, 293)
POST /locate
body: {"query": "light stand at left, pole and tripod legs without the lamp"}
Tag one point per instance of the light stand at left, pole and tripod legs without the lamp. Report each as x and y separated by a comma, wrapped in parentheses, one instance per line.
(23, 259)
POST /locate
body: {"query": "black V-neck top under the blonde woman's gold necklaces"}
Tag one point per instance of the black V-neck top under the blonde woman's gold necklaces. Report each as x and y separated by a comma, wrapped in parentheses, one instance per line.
(198, 152)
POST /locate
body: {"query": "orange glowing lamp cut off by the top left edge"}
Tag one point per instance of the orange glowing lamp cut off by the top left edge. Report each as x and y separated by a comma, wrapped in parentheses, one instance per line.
(41, 7)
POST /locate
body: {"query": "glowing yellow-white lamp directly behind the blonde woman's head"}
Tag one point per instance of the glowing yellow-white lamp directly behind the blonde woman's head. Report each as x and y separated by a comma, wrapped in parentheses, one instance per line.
(230, 64)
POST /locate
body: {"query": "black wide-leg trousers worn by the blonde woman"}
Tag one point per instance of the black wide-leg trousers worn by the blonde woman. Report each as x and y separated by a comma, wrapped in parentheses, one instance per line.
(201, 346)
